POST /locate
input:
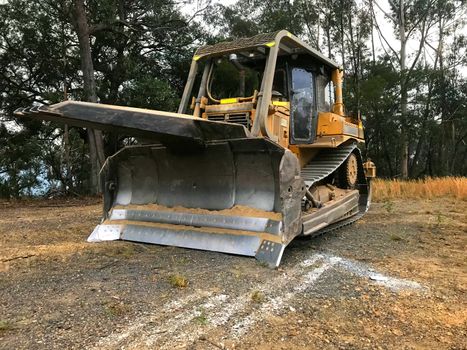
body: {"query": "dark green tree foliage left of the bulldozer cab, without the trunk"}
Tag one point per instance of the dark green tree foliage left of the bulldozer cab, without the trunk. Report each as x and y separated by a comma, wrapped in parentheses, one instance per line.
(141, 53)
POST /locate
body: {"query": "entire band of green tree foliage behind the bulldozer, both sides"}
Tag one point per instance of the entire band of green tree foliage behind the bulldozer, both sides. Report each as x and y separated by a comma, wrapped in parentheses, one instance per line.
(141, 50)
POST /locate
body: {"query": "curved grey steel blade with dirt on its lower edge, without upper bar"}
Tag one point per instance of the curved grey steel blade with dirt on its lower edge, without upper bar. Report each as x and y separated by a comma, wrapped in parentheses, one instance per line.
(238, 196)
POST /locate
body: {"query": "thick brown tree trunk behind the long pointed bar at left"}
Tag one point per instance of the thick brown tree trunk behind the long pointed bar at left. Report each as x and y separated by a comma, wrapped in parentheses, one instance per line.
(95, 139)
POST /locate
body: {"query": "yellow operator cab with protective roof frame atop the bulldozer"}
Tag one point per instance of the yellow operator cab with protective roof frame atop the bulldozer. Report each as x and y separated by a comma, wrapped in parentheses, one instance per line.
(276, 86)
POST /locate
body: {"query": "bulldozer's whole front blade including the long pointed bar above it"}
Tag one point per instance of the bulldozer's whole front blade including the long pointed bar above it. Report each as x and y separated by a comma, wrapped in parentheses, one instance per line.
(203, 184)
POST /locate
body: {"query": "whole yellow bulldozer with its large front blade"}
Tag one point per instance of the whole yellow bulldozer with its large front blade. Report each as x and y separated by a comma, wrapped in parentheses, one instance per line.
(260, 153)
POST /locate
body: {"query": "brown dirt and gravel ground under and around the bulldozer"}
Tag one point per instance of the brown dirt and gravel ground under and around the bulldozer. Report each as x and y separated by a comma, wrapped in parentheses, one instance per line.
(397, 279)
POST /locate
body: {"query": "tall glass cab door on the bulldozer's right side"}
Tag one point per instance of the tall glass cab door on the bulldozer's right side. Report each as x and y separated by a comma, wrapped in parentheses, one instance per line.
(303, 112)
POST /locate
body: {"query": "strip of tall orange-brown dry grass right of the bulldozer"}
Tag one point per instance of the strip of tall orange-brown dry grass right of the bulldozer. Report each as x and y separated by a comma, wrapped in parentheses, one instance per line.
(428, 188)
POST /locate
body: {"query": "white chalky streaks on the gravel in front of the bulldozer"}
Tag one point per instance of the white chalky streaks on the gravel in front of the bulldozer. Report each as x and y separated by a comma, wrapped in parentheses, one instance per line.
(220, 309)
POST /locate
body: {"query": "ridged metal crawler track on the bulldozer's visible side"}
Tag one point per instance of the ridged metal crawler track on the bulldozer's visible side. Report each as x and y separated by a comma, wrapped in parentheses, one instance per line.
(324, 165)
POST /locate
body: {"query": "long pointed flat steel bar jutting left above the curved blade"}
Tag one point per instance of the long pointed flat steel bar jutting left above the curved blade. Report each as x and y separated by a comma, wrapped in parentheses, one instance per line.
(168, 128)
